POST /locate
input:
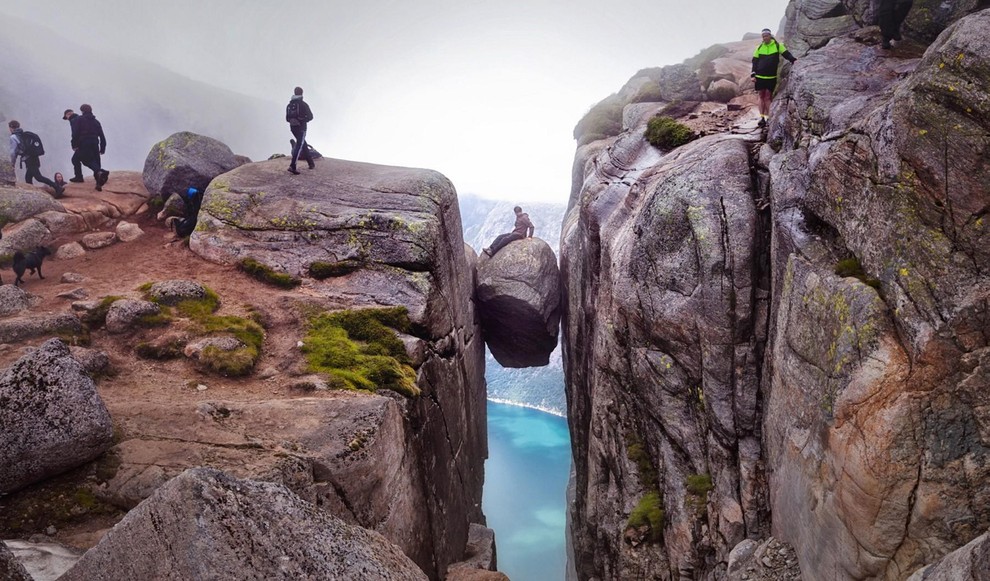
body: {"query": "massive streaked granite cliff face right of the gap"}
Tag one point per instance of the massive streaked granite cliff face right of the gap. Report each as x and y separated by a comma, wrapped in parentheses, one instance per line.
(787, 333)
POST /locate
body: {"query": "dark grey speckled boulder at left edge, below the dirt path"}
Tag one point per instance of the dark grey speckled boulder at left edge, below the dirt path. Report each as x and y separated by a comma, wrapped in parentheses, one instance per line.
(53, 419)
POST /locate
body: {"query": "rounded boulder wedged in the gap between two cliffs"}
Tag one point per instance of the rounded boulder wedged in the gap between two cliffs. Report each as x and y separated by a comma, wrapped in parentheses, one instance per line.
(518, 298)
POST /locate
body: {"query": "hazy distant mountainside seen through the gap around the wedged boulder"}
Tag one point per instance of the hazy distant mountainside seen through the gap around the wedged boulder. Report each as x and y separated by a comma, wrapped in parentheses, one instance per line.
(482, 220)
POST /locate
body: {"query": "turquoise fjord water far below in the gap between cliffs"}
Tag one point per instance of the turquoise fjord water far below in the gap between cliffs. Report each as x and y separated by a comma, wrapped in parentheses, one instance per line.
(529, 460)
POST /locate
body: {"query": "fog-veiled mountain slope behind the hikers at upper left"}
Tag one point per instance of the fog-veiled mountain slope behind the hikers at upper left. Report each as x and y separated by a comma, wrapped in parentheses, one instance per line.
(138, 103)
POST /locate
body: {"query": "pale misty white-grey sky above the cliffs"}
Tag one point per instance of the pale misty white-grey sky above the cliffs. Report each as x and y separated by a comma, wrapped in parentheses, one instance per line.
(486, 92)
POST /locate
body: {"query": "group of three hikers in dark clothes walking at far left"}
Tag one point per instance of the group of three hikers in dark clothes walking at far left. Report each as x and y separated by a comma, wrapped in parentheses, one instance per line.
(87, 141)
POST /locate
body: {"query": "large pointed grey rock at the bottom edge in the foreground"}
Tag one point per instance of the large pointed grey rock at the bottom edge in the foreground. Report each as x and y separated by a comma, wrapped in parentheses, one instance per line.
(206, 524)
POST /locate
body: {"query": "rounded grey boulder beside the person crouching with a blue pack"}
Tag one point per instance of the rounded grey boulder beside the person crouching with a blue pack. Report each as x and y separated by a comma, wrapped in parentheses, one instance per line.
(185, 160)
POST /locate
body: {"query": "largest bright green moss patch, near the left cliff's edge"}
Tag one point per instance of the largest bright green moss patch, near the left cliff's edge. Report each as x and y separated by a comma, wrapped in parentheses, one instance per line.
(359, 349)
